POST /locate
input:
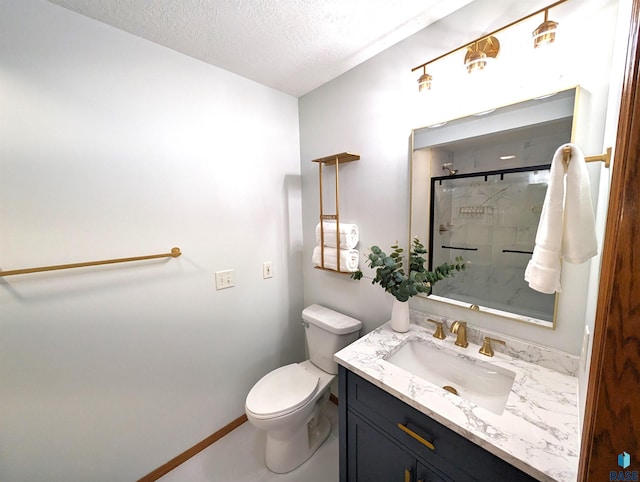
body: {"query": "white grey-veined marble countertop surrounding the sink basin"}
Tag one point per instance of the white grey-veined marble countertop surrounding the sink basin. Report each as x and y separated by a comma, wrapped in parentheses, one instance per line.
(538, 432)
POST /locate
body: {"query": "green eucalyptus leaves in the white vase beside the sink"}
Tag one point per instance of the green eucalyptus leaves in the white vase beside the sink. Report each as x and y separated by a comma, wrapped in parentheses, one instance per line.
(391, 275)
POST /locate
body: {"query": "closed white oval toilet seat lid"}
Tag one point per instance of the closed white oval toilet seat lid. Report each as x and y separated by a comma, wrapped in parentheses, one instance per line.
(282, 391)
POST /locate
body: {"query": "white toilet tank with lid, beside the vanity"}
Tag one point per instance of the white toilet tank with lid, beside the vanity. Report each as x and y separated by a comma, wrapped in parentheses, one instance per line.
(328, 332)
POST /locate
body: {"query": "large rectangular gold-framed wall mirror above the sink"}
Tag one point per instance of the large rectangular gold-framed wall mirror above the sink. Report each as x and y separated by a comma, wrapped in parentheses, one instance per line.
(477, 188)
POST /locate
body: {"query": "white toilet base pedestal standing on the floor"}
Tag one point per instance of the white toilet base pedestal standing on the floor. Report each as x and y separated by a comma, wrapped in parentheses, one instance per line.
(285, 451)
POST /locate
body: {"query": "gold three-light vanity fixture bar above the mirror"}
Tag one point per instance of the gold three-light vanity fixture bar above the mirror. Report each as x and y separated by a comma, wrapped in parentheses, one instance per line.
(481, 51)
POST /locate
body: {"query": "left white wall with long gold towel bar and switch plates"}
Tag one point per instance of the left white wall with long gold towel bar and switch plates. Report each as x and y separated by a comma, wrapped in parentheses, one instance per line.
(111, 146)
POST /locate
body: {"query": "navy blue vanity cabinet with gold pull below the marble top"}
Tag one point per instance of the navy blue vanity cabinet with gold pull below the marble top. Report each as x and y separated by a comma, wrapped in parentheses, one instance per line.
(382, 439)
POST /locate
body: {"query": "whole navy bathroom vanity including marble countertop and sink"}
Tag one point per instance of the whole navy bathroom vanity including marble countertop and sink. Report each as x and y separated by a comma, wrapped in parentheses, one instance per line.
(398, 423)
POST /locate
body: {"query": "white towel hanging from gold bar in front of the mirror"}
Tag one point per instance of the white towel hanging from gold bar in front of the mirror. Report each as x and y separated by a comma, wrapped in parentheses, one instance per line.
(567, 226)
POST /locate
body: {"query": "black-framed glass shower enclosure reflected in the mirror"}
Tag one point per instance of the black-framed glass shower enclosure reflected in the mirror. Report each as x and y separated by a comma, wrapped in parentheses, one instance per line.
(490, 218)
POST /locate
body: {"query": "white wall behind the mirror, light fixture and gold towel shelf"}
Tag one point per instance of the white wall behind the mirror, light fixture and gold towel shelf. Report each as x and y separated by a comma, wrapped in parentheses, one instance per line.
(372, 109)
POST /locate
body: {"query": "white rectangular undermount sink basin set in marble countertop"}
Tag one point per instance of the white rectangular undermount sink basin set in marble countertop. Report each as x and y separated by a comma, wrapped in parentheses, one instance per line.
(479, 382)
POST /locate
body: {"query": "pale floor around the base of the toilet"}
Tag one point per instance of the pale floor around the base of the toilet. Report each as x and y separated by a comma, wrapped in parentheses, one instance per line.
(239, 457)
